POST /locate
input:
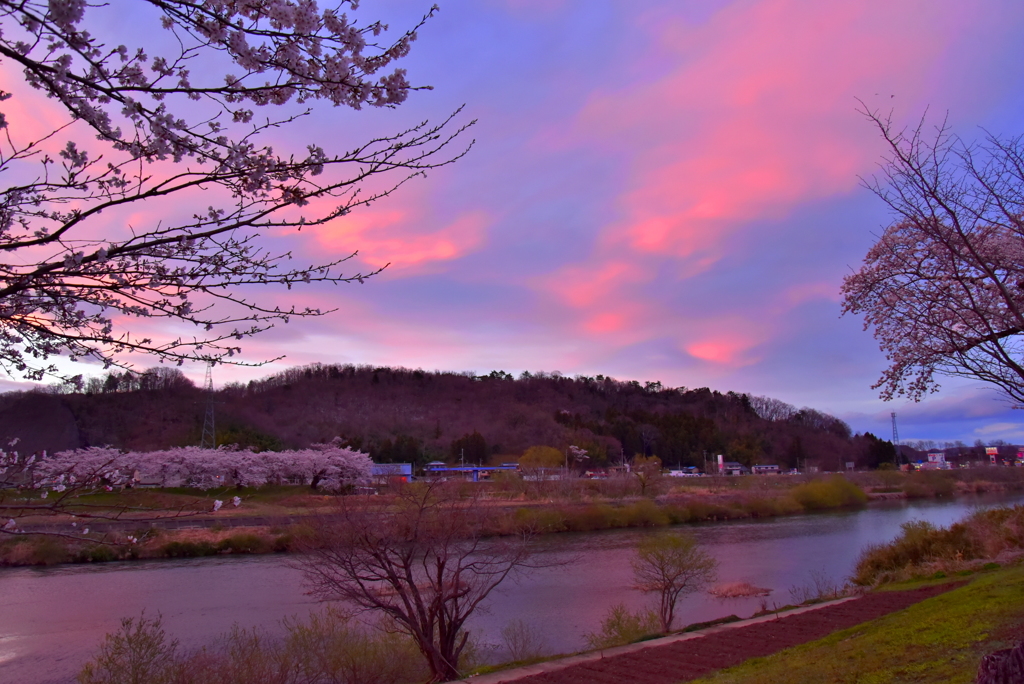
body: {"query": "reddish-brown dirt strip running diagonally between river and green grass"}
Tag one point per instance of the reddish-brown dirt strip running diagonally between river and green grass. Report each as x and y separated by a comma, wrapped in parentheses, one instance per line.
(681, 658)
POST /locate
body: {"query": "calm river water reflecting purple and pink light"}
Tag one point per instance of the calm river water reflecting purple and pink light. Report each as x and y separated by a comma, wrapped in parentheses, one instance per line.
(52, 620)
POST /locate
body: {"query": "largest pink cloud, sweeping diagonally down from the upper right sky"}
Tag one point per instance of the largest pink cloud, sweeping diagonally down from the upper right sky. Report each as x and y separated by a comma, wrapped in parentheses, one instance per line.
(757, 115)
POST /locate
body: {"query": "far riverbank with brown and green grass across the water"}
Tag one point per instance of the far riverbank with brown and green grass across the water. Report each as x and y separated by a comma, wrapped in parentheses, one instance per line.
(274, 520)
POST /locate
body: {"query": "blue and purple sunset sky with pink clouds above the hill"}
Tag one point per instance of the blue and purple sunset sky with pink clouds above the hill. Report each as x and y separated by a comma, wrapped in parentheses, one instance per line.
(659, 190)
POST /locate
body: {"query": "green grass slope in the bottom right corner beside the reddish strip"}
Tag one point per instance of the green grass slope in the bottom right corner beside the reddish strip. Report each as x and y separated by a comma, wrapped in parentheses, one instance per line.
(940, 640)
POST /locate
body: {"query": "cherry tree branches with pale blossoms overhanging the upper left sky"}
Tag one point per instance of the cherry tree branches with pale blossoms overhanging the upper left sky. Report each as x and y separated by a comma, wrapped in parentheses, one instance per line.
(149, 199)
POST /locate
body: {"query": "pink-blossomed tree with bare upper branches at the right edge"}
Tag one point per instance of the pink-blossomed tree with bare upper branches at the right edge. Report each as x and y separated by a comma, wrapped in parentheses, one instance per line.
(944, 288)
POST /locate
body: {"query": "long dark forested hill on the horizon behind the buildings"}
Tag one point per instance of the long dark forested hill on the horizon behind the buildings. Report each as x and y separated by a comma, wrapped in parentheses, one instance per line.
(402, 415)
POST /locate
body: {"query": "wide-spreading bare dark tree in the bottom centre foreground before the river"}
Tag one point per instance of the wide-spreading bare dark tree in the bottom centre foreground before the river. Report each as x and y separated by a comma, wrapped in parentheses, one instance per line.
(420, 559)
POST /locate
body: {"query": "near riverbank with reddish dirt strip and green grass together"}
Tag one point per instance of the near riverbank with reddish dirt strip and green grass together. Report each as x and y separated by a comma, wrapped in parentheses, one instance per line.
(933, 632)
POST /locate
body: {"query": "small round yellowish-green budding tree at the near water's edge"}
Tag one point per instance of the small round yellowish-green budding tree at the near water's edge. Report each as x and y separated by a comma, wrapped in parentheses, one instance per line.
(671, 566)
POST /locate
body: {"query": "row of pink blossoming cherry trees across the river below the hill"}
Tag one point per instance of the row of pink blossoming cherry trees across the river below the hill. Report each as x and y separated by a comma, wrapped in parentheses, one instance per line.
(322, 466)
